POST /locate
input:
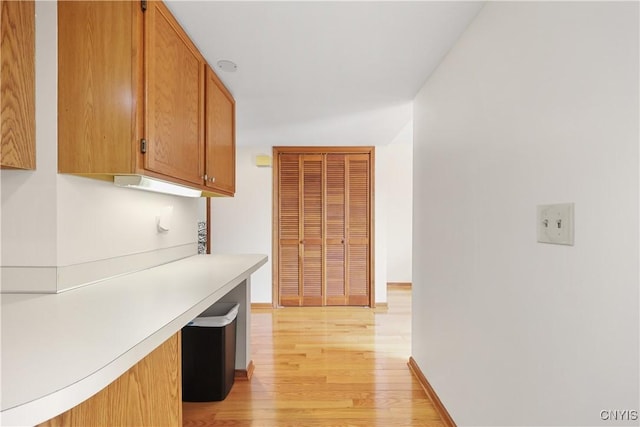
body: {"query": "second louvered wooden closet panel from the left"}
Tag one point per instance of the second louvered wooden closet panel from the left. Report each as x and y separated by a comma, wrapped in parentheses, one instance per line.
(312, 229)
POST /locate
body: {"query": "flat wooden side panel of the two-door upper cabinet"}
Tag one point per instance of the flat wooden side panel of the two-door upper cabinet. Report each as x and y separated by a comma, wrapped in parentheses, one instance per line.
(99, 93)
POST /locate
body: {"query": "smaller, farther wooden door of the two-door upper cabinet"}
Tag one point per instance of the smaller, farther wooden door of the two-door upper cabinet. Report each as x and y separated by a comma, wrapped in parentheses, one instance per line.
(220, 136)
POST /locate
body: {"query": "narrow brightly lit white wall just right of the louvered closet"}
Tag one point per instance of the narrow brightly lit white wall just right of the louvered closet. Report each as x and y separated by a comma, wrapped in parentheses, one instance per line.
(397, 164)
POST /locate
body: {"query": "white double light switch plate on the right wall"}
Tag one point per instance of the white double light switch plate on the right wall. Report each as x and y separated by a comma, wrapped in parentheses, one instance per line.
(555, 224)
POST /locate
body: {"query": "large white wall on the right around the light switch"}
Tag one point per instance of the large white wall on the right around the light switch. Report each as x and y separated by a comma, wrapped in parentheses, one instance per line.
(536, 104)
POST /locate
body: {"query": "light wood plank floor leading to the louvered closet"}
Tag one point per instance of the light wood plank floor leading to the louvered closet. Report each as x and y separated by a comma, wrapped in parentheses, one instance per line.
(326, 367)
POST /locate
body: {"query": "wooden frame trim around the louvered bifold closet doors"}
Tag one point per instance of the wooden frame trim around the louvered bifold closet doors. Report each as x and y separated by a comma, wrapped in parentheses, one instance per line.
(370, 150)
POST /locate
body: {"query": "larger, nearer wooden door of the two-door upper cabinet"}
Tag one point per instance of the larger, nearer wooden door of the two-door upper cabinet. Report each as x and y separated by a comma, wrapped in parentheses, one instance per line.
(175, 98)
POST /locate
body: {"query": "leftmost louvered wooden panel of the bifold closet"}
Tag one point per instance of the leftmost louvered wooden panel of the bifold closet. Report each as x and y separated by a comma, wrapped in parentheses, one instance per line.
(289, 230)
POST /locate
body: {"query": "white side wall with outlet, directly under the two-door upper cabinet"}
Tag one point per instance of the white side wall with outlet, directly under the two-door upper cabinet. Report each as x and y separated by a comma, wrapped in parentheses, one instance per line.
(111, 221)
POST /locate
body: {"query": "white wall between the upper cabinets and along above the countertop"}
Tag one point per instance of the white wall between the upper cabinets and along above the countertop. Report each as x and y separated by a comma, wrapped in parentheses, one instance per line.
(59, 220)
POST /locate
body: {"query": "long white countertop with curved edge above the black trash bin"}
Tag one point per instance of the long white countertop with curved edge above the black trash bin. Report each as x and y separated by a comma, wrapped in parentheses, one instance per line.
(59, 349)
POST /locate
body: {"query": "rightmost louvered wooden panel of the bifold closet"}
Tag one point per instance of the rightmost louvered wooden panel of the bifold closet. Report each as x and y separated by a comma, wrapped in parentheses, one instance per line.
(357, 228)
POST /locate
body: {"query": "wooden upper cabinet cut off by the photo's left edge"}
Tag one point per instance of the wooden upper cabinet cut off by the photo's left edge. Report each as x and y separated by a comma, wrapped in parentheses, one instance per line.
(17, 85)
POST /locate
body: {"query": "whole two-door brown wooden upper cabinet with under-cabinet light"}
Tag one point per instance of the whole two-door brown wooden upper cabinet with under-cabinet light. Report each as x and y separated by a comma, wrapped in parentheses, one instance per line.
(132, 98)
